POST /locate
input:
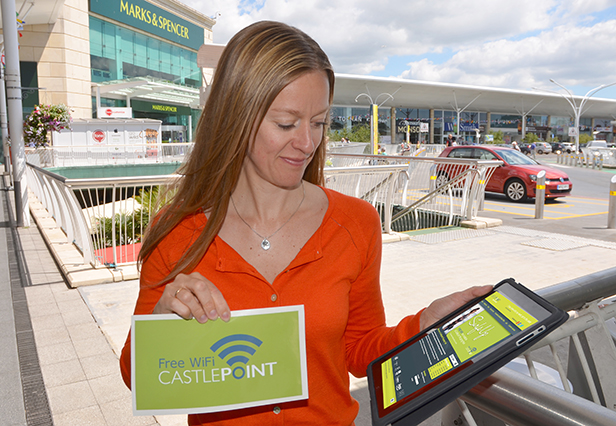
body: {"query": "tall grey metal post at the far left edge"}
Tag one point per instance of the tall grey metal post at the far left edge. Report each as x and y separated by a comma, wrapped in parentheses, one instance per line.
(13, 94)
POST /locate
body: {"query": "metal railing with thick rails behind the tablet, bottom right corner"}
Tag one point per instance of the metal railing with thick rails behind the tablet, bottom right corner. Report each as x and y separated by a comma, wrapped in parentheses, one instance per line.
(587, 395)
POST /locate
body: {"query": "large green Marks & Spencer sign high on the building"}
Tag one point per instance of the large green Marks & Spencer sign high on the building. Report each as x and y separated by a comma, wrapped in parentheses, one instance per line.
(152, 19)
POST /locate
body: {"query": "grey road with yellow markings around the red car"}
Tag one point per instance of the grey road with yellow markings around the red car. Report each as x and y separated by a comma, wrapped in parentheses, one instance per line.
(583, 214)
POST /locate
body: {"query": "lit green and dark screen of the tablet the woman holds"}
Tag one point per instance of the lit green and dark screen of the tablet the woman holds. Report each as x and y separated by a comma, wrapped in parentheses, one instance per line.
(455, 345)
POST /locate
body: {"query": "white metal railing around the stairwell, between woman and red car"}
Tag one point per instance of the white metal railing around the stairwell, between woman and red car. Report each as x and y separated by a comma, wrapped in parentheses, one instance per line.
(439, 191)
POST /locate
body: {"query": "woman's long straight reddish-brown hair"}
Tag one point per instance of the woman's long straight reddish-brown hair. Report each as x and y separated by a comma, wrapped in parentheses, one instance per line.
(258, 62)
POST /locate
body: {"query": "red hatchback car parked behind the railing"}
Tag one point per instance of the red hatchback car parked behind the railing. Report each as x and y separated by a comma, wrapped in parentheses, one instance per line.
(516, 178)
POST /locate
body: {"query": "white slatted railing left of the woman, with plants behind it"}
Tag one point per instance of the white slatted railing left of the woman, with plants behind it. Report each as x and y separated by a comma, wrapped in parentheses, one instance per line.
(104, 217)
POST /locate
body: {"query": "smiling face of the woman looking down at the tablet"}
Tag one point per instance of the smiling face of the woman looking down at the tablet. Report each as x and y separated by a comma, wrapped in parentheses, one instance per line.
(290, 133)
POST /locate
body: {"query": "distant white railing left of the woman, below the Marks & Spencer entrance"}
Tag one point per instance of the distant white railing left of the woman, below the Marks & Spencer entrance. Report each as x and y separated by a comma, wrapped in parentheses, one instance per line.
(89, 155)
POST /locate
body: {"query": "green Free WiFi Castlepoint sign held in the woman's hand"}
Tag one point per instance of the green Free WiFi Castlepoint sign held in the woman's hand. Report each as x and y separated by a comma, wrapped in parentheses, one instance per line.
(182, 367)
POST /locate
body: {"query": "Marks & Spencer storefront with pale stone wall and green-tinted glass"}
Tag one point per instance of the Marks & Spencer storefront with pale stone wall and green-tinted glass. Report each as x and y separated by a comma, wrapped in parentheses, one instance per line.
(134, 54)
